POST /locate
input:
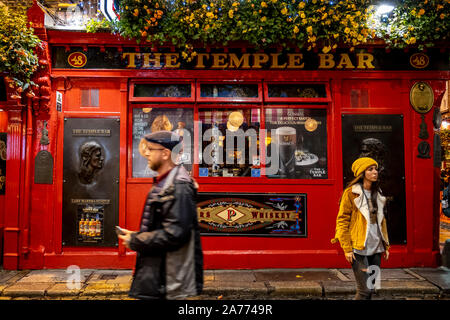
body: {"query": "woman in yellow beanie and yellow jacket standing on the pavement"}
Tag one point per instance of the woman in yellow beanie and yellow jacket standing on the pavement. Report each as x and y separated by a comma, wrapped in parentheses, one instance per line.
(360, 225)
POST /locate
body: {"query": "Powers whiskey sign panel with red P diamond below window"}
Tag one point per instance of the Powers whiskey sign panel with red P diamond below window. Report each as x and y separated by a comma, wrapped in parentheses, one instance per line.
(252, 214)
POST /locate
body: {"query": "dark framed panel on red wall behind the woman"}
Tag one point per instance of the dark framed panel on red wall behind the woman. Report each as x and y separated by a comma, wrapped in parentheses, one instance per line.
(381, 138)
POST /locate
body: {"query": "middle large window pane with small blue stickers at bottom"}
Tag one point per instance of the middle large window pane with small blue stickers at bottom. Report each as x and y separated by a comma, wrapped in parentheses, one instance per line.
(229, 143)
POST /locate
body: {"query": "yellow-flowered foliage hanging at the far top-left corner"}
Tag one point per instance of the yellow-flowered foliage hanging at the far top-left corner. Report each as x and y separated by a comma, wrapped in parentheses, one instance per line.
(17, 49)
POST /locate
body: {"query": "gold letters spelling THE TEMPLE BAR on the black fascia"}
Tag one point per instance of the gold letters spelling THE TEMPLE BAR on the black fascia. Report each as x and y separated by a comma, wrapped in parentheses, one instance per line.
(250, 60)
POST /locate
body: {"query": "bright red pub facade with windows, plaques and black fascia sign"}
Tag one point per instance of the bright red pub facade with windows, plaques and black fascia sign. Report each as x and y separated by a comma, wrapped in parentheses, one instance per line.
(74, 169)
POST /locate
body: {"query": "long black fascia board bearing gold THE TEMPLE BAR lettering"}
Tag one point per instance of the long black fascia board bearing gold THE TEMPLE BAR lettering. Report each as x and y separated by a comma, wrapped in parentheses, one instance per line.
(248, 59)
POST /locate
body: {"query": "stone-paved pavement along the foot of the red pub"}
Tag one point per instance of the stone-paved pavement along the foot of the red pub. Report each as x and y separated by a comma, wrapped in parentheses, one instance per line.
(275, 284)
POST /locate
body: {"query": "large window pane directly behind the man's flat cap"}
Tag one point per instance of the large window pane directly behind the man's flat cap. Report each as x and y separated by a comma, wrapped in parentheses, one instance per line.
(148, 120)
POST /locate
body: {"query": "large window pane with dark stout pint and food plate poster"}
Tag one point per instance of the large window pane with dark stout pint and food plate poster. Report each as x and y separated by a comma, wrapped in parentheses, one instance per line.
(297, 143)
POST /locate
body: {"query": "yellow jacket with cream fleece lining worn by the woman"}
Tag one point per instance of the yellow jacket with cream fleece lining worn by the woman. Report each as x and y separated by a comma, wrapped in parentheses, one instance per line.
(352, 224)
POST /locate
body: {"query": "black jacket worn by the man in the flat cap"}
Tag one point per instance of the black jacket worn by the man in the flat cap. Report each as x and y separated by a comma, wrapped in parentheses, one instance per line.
(169, 261)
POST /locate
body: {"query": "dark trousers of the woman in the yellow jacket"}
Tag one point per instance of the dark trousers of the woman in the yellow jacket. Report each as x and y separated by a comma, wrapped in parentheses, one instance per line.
(360, 270)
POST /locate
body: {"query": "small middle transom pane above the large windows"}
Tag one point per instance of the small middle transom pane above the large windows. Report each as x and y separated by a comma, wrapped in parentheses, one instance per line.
(229, 90)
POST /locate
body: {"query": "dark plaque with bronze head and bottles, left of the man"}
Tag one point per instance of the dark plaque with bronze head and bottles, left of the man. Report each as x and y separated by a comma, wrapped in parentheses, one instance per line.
(91, 181)
